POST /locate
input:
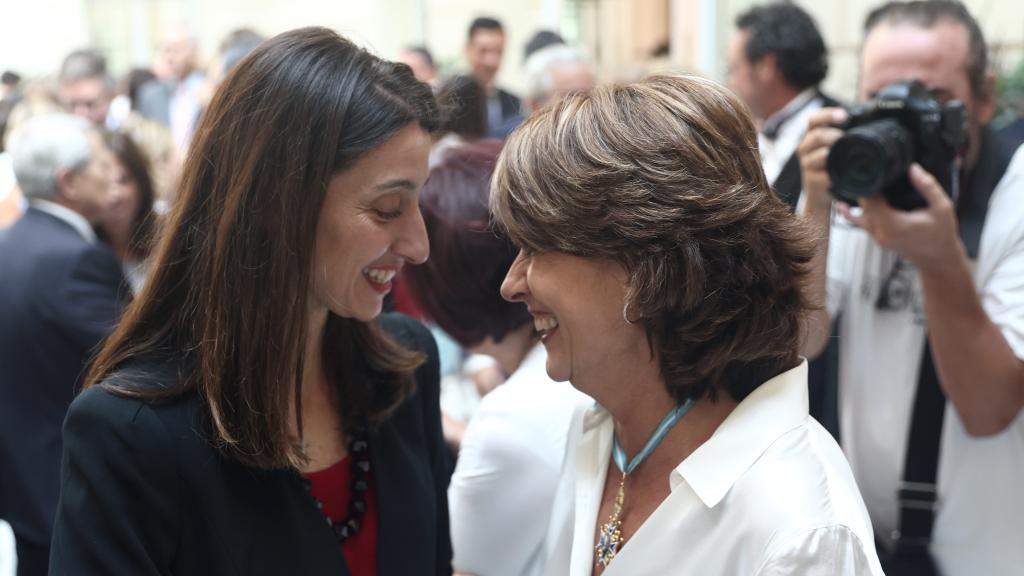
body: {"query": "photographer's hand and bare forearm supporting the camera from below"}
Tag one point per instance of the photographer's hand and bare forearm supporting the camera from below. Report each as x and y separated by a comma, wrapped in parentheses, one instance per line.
(979, 373)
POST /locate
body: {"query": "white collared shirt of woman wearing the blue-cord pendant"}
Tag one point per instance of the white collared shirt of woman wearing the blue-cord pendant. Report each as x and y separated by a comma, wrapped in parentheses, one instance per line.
(770, 493)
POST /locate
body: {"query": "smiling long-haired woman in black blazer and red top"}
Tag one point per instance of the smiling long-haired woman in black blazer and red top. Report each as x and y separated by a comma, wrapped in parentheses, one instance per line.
(253, 414)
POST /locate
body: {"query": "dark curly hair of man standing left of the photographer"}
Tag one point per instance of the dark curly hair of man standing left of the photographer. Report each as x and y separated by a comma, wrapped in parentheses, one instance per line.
(790, 33)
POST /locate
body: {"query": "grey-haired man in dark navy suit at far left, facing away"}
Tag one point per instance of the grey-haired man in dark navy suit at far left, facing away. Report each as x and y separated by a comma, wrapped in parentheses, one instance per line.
(60, 297)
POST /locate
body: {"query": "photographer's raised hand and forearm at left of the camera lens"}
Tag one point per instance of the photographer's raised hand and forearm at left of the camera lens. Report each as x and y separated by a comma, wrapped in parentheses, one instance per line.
(816, 209)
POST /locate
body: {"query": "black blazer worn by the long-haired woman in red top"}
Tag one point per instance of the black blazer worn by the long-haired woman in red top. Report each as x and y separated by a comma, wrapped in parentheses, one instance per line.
(144, 492)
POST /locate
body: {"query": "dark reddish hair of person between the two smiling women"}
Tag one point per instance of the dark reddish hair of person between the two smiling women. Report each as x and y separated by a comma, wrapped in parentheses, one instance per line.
(460, 286)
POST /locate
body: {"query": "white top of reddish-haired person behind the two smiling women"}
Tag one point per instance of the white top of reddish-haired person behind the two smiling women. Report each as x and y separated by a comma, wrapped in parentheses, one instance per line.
(504, 483)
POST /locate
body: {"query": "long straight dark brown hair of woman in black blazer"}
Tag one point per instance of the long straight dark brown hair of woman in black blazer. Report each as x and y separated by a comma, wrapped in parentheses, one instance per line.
(229, 296)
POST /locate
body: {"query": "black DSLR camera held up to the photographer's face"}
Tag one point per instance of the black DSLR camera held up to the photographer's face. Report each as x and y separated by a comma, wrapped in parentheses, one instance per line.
(904, 125)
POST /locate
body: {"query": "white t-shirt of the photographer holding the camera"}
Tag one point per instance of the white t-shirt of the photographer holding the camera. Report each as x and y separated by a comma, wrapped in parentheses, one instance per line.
(979, 525)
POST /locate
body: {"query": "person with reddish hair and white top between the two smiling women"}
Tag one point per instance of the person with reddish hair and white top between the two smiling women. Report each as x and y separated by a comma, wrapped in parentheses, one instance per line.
(503, 488)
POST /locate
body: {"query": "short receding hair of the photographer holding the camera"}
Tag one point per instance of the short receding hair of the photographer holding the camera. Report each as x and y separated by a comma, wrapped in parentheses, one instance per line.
(926, 15)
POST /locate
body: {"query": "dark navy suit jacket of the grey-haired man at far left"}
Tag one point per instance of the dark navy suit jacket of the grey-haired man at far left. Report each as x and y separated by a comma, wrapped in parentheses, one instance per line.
(60, 297)
